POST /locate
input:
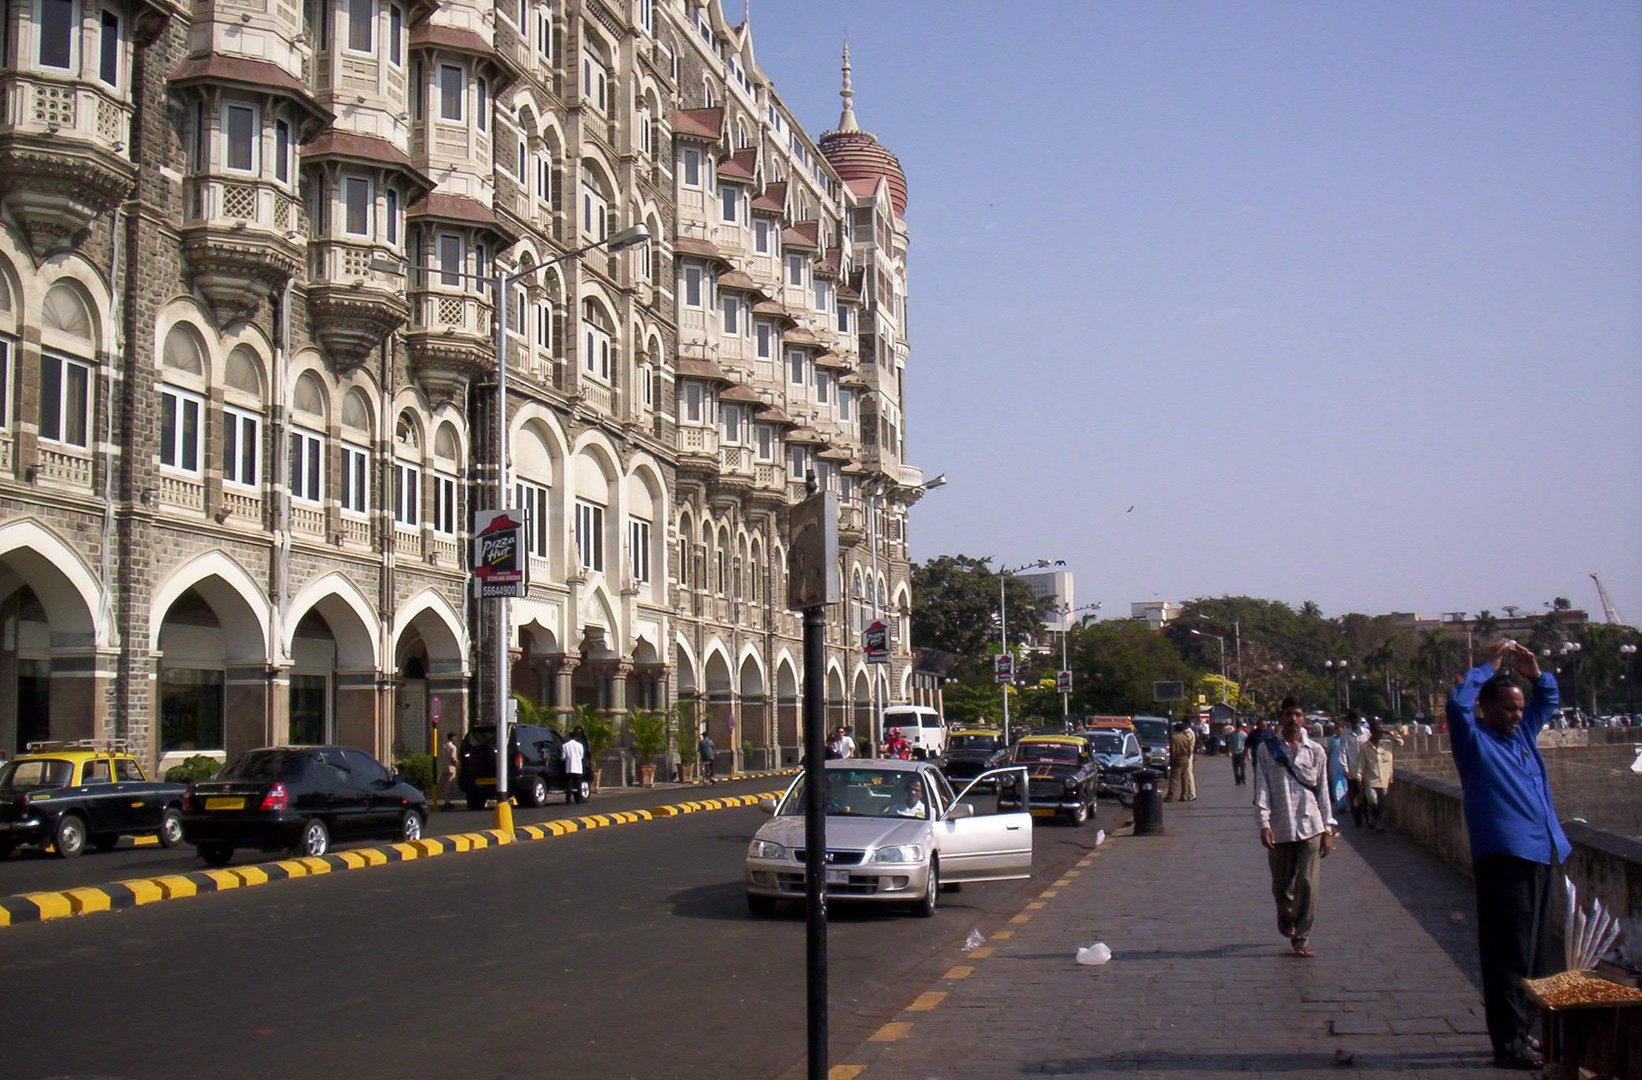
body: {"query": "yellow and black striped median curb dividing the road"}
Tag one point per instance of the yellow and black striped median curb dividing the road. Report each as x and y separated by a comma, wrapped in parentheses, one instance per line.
(140, 892)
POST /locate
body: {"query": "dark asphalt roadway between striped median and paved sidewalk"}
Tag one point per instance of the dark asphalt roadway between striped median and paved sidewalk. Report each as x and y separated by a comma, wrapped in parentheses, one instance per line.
(615, 953)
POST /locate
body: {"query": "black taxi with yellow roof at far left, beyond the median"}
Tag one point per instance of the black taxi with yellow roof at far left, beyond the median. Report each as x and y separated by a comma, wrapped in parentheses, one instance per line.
(75, 794)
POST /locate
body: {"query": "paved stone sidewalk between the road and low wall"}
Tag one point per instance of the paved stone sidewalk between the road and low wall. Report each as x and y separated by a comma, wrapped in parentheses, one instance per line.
(1201, 986)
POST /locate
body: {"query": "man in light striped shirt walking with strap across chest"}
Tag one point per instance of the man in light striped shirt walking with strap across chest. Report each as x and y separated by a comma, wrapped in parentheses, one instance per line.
(1296, 823)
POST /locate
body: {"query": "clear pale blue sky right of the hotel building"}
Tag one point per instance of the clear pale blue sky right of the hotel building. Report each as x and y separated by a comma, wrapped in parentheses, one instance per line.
(1346, 300)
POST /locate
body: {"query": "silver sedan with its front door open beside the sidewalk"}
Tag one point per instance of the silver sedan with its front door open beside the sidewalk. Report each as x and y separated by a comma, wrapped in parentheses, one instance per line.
(896, 833)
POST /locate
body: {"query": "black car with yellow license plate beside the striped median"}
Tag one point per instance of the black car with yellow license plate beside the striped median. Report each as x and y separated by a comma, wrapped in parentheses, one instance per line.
(300, 800)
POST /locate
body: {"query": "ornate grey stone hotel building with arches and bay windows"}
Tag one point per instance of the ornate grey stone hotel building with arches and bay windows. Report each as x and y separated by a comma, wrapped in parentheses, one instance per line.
(247, 336)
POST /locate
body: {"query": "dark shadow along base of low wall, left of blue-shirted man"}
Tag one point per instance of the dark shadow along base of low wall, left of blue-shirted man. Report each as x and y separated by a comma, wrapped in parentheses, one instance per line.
(1438, 895)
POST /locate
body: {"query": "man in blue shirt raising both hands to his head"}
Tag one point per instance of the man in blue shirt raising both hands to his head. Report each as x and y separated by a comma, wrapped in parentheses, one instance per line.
(1516, 841)
